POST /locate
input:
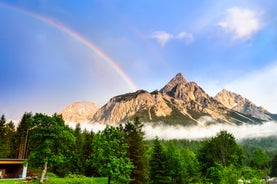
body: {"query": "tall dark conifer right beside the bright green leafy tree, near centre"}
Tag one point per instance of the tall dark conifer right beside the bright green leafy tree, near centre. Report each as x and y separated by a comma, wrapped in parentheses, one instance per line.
(136, 151)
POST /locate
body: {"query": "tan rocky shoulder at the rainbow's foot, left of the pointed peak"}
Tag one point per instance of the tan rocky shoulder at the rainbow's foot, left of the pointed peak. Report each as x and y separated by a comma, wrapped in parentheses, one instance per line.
(121, 108)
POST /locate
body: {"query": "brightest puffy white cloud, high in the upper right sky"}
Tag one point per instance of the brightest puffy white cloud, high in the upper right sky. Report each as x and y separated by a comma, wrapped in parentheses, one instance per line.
(241, 22)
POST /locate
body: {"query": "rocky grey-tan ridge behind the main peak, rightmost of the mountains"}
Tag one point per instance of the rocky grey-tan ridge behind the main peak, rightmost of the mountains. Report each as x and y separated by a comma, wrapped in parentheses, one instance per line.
(240, 104)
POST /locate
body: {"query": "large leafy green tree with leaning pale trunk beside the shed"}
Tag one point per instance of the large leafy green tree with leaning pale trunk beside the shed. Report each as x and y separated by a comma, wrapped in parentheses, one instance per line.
(49, 141)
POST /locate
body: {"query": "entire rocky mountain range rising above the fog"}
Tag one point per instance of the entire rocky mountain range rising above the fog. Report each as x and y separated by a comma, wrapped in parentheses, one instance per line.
(178, 102)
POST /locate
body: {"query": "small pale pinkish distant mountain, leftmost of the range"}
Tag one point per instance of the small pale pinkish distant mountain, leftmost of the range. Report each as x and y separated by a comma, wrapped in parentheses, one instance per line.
(79, 112)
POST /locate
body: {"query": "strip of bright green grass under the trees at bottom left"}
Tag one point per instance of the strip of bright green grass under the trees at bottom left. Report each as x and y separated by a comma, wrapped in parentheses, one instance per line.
(58, 181)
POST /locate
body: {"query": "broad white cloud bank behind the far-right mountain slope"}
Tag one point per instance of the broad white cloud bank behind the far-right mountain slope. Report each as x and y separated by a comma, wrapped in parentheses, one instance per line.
(258, 86)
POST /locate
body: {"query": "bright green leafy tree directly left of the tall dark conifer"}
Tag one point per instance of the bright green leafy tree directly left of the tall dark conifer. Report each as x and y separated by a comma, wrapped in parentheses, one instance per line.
(110, 155)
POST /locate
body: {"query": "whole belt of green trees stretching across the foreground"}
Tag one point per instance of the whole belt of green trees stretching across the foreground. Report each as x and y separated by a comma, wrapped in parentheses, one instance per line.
(123, 155)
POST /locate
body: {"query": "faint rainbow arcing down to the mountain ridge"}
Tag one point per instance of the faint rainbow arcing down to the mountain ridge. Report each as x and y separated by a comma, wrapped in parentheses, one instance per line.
(79, 38)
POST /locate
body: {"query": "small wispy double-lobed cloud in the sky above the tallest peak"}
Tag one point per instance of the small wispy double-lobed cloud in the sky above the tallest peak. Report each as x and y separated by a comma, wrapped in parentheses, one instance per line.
(163, 37)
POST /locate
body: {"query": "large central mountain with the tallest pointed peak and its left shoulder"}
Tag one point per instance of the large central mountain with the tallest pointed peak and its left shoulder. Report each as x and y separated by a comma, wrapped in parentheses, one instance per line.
(178, 102)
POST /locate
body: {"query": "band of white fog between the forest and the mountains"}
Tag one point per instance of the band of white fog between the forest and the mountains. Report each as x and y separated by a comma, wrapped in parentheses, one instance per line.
(197, 132)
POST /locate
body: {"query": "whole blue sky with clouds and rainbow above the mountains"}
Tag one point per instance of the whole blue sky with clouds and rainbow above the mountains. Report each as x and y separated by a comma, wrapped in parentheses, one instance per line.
(54, 53)
